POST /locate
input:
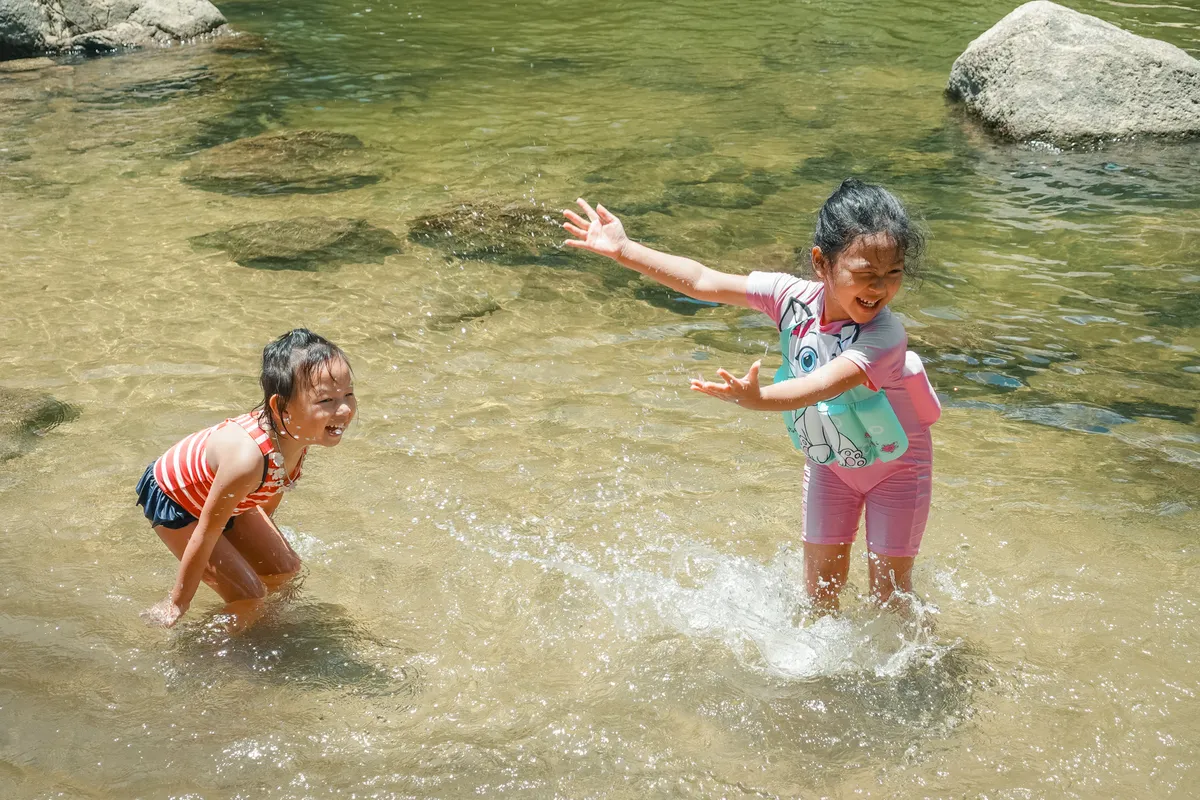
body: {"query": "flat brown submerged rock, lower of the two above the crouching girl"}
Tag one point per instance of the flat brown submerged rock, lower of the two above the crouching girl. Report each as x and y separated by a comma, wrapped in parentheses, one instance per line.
(304, 243)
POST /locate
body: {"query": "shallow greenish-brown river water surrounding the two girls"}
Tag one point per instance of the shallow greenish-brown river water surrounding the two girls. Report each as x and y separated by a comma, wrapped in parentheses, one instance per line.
(539, 567)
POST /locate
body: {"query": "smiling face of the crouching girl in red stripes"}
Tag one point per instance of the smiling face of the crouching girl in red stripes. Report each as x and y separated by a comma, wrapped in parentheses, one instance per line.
(321, 408)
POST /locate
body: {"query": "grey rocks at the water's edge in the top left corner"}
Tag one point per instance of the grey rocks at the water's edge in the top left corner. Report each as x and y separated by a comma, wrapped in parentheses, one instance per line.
(35, 27)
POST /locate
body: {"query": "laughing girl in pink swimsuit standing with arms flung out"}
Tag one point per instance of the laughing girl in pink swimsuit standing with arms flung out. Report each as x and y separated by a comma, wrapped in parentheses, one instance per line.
(839, 335)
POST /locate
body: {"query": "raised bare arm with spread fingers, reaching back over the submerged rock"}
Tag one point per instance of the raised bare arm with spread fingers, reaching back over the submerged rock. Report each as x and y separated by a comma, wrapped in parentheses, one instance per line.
(604, 234)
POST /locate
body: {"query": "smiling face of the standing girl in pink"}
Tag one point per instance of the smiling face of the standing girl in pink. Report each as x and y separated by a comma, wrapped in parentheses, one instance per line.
(863, 279)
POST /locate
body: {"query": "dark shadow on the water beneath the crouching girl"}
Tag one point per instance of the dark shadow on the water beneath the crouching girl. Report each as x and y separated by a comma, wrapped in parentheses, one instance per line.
(311, 646)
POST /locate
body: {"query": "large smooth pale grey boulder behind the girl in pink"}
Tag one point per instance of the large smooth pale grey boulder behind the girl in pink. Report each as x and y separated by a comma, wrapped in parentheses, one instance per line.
(1049, 74)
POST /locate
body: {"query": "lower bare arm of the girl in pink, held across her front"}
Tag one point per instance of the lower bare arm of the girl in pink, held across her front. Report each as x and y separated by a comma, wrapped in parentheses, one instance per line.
(829, 382)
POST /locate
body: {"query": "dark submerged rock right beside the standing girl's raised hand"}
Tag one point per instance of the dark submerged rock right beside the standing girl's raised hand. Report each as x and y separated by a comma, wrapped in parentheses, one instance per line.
(493, 233)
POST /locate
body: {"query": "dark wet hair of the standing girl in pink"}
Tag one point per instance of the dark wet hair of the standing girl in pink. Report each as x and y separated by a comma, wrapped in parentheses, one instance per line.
(857, 209)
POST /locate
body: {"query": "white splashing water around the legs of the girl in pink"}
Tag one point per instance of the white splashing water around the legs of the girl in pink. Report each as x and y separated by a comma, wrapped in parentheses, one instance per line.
(759, 611)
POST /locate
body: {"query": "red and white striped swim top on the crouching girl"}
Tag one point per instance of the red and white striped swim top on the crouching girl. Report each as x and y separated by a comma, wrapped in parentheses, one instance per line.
(184, 473)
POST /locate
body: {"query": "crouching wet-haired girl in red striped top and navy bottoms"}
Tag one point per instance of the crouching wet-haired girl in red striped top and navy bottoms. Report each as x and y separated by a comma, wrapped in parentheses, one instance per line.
(211, 498)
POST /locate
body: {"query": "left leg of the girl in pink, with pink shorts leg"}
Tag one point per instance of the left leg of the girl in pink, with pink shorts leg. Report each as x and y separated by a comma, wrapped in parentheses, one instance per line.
(832, 510)
